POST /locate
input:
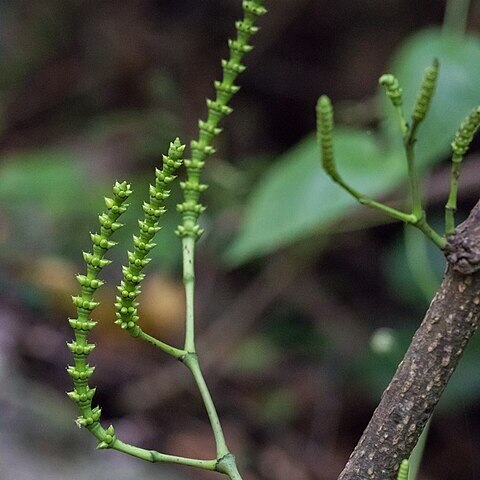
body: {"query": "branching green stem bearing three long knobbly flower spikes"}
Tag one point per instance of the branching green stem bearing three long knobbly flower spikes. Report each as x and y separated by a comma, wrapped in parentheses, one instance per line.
(129, 289)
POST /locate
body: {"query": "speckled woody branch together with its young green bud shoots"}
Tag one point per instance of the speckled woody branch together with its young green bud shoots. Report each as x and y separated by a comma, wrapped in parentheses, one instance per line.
(437, 346)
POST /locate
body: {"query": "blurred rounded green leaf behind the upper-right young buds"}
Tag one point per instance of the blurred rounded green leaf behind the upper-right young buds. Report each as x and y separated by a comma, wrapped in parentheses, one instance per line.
(458, 88)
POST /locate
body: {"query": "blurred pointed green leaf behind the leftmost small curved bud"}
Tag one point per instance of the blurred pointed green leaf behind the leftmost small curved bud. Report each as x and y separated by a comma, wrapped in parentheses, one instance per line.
(296, 198)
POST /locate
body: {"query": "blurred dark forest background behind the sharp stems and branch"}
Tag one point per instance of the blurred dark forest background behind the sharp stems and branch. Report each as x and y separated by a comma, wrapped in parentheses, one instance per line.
(305, 300)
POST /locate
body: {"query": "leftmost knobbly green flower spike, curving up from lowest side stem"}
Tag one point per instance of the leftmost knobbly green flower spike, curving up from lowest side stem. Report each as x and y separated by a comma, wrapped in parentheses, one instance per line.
(85, 304)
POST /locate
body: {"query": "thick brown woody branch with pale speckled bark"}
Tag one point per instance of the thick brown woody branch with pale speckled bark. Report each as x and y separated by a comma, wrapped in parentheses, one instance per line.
(432, 357)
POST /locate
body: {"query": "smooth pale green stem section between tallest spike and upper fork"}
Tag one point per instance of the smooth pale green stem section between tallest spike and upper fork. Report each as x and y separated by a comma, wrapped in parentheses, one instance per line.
(188, 245)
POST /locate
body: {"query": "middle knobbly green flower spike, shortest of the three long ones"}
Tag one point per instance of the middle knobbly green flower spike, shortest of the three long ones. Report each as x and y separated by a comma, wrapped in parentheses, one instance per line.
(129, 288)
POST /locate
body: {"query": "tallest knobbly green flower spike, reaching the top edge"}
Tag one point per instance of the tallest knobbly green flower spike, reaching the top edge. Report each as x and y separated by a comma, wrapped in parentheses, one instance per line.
(217, 110)
